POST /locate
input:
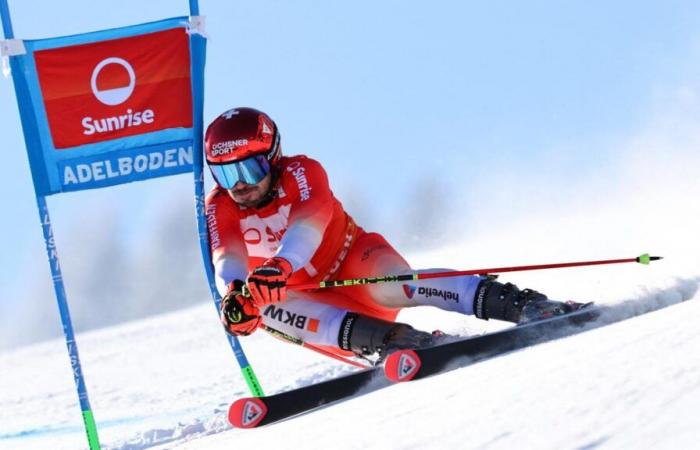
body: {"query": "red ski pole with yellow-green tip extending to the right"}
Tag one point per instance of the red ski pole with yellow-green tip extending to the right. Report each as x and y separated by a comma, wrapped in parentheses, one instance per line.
(642, 259)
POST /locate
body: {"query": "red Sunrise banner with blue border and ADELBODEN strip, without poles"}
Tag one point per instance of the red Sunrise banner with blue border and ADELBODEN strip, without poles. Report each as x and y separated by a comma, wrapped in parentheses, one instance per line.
(108, 107)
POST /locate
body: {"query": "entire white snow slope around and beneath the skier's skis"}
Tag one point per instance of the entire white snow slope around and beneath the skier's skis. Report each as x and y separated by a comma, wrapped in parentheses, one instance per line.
(166, 382)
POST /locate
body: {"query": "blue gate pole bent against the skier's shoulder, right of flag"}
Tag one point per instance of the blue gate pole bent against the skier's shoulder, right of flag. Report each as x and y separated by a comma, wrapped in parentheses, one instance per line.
(198, 59)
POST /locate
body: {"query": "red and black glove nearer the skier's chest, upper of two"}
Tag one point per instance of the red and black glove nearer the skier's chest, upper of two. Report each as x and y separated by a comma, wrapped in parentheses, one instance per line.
(268, 283)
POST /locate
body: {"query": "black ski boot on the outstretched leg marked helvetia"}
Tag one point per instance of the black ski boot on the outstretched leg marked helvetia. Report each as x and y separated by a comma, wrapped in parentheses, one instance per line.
(494, 300)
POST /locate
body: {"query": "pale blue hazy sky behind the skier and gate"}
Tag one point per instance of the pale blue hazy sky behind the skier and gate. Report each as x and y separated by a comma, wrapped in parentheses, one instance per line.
(435, 123)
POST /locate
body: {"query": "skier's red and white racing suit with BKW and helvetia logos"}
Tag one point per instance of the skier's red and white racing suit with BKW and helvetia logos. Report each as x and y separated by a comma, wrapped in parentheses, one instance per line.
(306, 225)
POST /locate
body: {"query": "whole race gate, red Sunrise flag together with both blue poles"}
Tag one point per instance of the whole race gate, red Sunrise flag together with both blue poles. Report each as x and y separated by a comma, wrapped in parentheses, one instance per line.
(111, 107)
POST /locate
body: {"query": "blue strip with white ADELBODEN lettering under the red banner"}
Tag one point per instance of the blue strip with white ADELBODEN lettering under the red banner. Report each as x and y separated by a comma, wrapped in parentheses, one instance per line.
(127, 165)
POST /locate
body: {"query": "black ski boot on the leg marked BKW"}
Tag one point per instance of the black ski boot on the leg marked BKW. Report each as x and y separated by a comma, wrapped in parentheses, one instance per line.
(366, 336)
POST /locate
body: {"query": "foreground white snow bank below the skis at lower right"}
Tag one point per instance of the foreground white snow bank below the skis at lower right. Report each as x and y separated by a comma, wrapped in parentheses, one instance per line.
(574, 393)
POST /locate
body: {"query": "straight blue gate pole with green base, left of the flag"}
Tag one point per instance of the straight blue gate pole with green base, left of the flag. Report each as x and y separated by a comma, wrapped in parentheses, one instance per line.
(61, 299)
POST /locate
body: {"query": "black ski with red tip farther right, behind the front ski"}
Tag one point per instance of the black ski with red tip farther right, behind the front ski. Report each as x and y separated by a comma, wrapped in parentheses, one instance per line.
(412, 364)
